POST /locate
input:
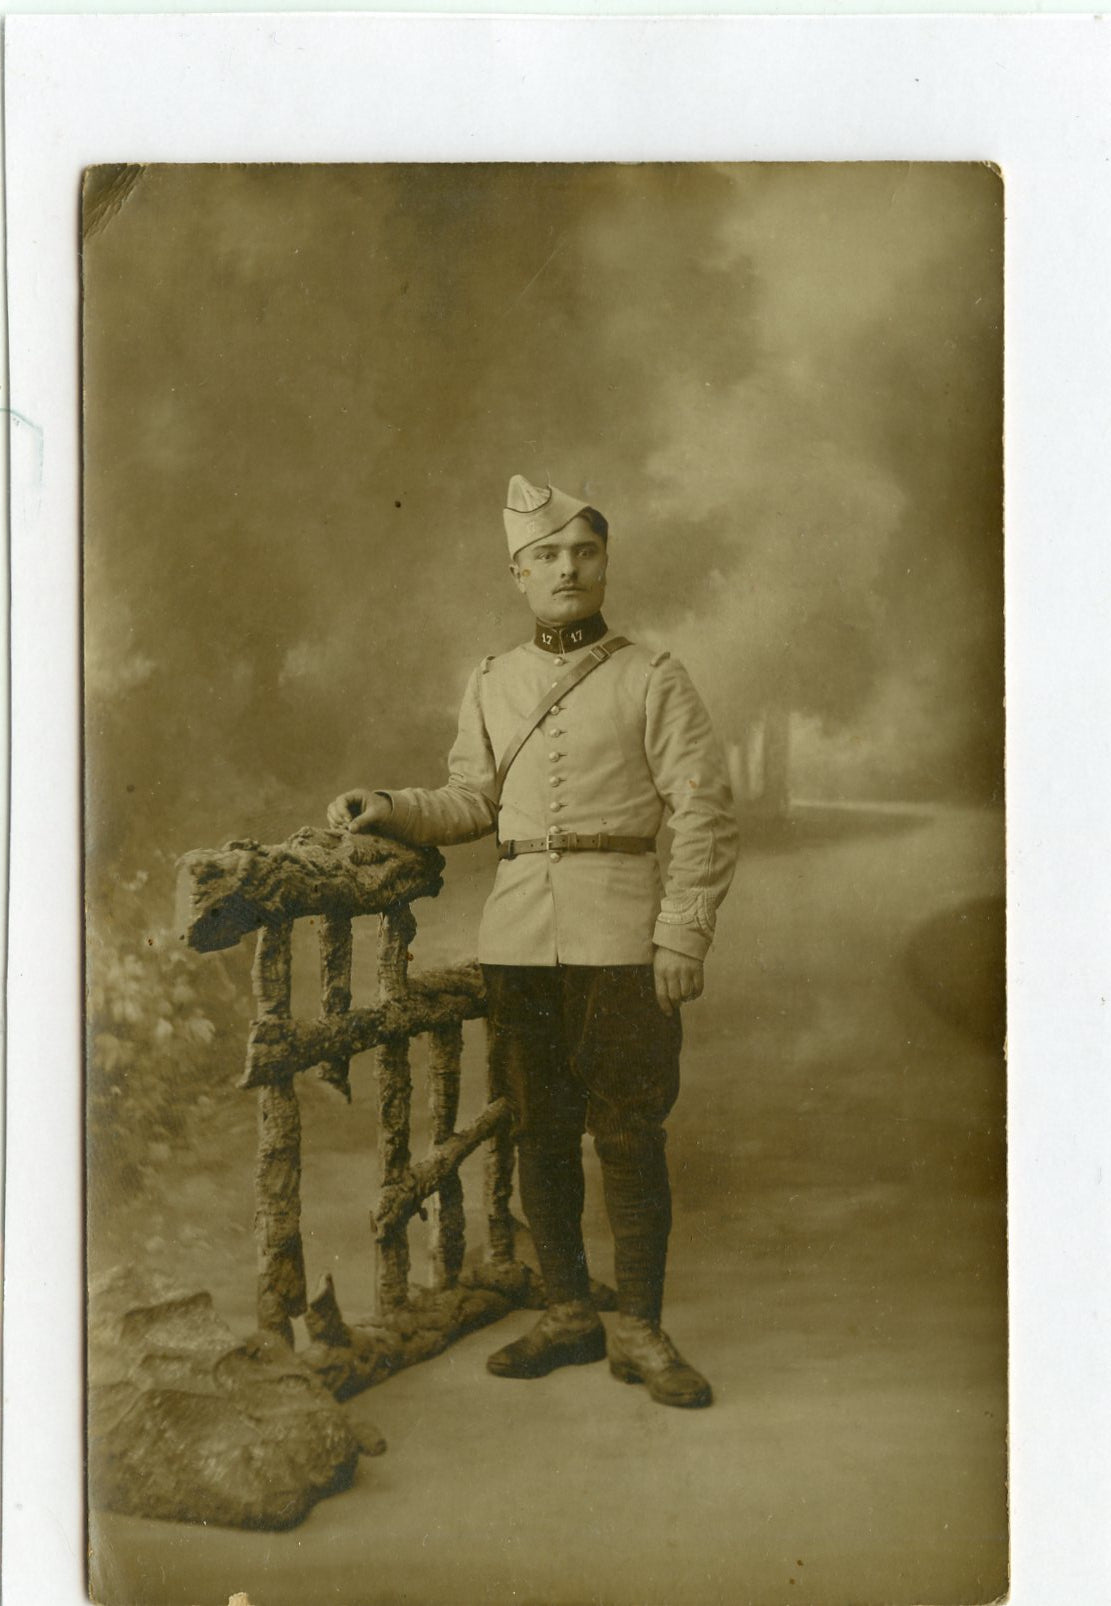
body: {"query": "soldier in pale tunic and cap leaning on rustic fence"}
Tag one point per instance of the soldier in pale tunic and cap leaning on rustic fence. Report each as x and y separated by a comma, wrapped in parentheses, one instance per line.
(576, 748)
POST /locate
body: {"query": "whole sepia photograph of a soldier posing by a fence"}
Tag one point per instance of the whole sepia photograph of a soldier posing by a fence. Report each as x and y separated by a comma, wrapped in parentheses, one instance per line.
(545, 884)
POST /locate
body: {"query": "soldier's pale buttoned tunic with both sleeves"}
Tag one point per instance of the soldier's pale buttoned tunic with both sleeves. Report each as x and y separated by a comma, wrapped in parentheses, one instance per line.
(630, 749)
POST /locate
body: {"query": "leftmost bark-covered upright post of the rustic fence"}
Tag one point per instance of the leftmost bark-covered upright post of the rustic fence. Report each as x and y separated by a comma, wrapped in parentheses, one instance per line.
(280, 1250)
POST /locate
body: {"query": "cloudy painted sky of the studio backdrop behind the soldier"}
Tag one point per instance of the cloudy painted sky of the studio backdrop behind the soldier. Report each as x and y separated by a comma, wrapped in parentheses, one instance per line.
(306, 389)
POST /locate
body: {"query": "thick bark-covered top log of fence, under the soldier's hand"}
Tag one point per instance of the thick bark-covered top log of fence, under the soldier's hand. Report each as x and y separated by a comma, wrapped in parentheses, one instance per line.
(227, 892)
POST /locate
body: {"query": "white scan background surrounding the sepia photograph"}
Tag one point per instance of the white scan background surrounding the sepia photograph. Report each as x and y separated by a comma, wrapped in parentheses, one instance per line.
(1030, 94)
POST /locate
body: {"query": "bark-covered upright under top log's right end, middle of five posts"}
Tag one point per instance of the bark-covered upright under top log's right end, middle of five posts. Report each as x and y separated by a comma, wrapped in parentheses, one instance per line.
(396, 932)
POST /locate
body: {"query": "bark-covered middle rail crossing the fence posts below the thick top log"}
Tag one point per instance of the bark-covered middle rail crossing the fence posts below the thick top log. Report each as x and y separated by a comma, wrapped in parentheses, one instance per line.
(433, 1001)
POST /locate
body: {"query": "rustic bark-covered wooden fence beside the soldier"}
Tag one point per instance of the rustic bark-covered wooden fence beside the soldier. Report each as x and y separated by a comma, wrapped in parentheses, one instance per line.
(333, 879)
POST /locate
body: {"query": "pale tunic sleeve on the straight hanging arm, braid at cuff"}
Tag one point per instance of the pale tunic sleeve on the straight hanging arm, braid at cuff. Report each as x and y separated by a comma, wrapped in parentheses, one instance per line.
(690, 773)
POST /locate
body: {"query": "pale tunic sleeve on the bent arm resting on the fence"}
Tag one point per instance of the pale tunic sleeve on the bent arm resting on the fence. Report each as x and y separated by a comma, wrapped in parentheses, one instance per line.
(465, 809)
